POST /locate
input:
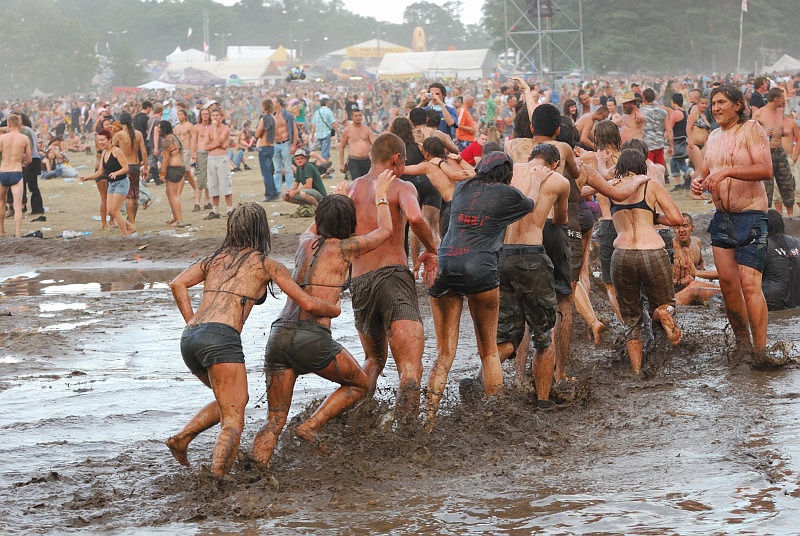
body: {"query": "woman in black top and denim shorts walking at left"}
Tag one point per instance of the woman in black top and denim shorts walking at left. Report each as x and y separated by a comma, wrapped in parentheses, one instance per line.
(113, 171)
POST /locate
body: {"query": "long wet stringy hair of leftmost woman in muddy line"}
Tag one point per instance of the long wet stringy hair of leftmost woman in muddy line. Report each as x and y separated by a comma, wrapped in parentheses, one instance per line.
(247, 234)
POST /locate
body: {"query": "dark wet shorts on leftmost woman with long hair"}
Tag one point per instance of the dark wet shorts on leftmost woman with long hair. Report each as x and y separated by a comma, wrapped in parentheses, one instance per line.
(207, 344)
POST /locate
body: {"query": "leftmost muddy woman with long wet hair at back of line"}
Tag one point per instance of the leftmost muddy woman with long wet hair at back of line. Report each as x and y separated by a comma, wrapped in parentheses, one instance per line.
(235, 278)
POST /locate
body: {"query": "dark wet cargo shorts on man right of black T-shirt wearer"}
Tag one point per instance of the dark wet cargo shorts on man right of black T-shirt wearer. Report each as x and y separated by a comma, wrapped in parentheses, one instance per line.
(527, 294)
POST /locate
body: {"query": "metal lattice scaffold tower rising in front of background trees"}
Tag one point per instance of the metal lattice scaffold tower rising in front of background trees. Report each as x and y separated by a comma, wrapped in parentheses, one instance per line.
(546, 36)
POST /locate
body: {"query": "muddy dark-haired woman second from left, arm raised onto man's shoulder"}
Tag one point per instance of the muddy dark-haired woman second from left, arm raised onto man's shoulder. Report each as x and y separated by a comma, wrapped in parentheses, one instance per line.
(300, 342)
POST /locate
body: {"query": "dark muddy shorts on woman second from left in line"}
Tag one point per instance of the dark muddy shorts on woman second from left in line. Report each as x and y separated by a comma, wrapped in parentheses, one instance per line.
(303, 345)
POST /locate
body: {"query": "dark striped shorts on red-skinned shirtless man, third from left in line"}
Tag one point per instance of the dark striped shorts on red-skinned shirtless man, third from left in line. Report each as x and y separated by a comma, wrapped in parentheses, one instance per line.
(383, 296)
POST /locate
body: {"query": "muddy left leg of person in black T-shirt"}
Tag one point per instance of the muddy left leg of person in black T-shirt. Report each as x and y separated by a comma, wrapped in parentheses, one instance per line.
(446, 312)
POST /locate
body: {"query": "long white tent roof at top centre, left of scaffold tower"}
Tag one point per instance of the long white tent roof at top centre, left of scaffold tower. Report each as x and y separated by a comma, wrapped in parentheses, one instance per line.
(475, 63)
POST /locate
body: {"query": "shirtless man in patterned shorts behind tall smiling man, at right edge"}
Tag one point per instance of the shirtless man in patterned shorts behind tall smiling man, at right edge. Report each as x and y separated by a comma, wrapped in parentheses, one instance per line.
(771, 118)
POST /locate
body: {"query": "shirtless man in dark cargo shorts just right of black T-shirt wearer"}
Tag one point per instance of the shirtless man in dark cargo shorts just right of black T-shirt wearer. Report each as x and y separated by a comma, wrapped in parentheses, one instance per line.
(527, 289)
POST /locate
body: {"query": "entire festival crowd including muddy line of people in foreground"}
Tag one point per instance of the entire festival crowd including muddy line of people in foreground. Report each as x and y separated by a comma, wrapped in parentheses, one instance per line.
(499, 191)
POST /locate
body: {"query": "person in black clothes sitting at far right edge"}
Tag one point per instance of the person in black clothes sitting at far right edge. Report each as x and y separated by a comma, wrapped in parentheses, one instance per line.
(781, 271)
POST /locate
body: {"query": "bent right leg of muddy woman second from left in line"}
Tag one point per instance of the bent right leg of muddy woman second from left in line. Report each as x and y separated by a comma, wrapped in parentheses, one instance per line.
(345, 371)
